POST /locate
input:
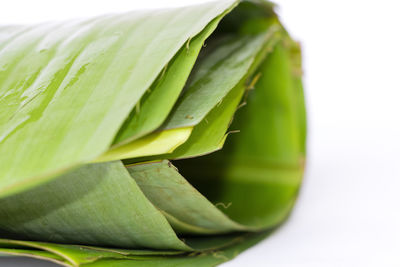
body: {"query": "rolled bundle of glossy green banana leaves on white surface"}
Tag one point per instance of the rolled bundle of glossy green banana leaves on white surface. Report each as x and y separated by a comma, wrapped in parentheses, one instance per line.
(152, 138)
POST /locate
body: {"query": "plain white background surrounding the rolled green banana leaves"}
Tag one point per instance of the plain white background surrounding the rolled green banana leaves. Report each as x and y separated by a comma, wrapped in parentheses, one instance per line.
(348, 212)
